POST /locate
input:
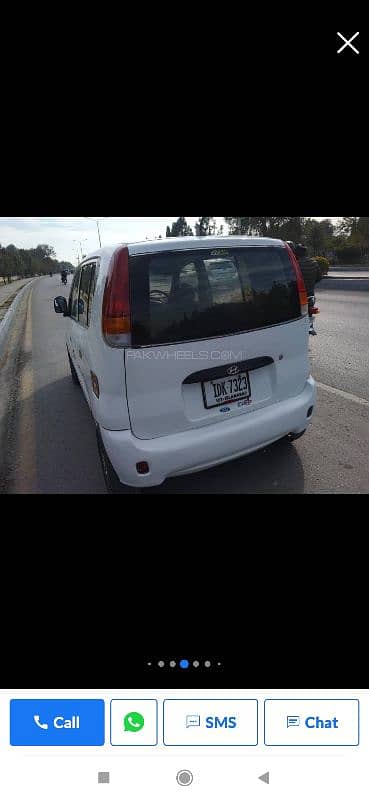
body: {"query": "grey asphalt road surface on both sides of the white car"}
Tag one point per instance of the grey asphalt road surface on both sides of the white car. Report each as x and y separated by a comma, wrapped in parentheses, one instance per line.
(51, 445)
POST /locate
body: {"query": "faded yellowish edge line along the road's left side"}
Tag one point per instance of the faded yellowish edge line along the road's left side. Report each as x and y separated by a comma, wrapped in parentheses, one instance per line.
(25, 479)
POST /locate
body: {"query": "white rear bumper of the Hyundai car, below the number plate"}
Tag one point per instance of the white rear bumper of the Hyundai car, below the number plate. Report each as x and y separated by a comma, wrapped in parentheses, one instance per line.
(201, 448)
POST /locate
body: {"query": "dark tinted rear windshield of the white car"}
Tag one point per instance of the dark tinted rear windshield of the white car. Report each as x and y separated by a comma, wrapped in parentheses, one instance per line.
(199, 294)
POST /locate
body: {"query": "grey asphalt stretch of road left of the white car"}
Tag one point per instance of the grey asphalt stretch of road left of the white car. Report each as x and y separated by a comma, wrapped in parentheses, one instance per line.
(51, 439)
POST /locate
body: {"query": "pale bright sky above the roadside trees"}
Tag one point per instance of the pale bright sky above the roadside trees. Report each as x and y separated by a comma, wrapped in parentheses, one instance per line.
(68, 235)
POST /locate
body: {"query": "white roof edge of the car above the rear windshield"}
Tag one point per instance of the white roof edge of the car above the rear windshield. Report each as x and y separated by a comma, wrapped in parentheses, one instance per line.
(187, 243)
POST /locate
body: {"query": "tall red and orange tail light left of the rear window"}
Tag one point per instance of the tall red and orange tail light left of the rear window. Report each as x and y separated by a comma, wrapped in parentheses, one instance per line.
(116, 317)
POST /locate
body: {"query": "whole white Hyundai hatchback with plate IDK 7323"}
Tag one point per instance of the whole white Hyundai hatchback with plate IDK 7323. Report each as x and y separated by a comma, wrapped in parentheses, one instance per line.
(190, 352)
